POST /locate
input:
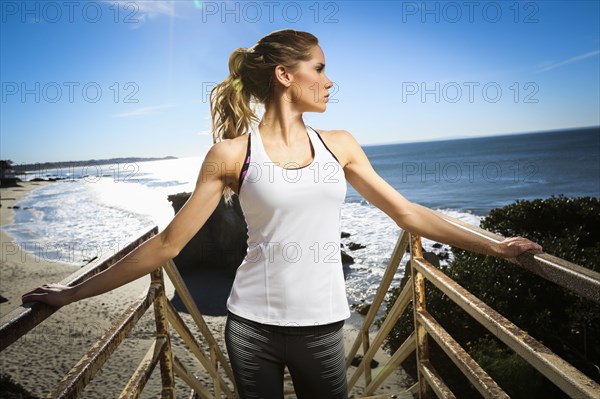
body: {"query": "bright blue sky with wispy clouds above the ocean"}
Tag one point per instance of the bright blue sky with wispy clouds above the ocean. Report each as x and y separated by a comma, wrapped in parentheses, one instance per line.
(100, 79)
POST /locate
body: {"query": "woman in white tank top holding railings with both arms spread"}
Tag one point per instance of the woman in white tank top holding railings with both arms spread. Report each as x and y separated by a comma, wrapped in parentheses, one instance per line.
(288, 304)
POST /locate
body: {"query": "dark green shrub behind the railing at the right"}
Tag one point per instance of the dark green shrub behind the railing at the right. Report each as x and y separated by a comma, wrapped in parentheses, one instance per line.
(567, 324)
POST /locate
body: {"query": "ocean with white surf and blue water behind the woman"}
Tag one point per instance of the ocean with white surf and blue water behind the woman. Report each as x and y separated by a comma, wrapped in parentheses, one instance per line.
(98, 209)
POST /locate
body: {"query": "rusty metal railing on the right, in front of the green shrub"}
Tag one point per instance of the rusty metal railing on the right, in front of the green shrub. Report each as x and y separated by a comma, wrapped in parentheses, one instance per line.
(581, 281)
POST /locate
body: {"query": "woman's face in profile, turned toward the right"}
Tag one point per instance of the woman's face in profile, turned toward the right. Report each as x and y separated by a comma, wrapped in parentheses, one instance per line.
(309, 84)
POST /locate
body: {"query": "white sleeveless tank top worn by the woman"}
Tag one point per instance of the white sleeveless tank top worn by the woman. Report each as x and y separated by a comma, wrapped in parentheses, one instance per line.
(292, 274)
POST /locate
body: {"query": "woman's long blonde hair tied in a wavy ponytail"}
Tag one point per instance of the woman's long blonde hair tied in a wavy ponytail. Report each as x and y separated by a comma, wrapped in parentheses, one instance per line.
(251, 74)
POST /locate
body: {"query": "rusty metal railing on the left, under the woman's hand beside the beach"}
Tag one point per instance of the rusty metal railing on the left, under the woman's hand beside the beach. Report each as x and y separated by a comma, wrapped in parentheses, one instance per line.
(23, 319)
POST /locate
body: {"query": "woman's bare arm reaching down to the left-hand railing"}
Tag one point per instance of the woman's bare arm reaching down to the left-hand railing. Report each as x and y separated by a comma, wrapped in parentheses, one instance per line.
(216, 172)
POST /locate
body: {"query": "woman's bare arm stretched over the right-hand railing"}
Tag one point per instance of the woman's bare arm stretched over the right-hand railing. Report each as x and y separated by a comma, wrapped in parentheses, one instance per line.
(409, 216)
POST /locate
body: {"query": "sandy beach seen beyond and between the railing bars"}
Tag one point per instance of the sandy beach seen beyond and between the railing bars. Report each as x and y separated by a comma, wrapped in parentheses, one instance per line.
(39, 360)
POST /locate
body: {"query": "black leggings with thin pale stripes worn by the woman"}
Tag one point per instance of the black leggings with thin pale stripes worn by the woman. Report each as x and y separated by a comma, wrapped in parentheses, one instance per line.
(313, 355)
